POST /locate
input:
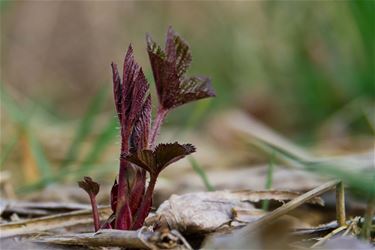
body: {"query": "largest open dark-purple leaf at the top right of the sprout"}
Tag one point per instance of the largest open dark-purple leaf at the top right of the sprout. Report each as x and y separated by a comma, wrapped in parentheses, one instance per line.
(169, 67)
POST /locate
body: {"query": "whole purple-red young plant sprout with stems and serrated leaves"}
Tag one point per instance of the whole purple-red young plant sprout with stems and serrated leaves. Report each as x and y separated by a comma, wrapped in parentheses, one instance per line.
(131, 201)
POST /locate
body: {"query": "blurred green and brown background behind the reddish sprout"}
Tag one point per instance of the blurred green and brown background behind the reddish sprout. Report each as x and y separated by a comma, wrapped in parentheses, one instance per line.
(304, 69)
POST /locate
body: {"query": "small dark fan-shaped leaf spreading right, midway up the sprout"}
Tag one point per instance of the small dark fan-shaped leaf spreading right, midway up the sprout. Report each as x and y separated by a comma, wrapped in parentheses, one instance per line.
(154, 161)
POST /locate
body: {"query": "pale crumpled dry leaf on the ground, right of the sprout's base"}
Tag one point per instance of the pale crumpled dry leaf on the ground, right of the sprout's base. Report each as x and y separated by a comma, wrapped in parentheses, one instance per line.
(206, 212)
